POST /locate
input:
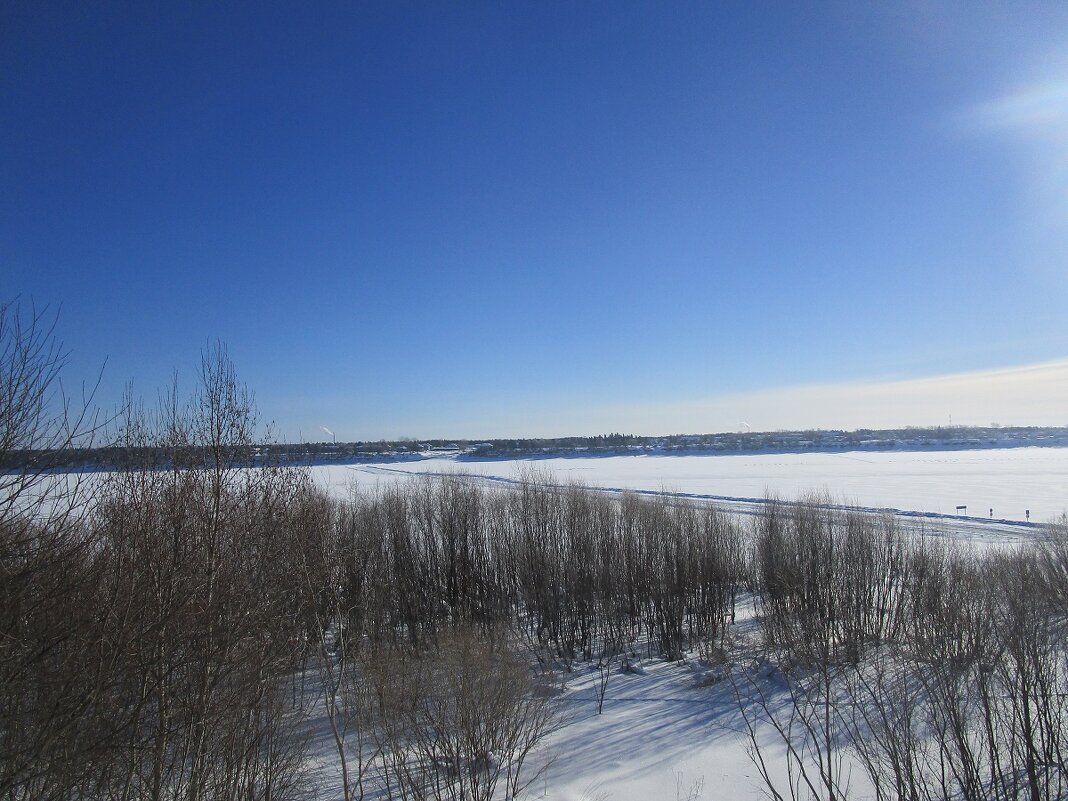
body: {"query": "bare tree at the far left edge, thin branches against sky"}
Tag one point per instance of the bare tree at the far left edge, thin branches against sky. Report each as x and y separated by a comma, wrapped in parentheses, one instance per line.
(49, 571)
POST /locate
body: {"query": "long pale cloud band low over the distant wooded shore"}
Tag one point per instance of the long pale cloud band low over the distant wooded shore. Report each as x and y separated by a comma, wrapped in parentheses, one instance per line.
(1033, 395)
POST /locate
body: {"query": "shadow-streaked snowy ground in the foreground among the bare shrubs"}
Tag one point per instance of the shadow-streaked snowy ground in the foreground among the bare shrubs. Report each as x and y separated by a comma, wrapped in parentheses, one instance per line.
(666, 732)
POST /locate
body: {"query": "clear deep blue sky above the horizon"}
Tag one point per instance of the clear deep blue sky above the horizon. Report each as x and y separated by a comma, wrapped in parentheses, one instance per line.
(516, 219)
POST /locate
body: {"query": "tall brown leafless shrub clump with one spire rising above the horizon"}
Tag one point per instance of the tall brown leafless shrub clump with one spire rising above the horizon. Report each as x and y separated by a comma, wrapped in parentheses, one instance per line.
(213, 619)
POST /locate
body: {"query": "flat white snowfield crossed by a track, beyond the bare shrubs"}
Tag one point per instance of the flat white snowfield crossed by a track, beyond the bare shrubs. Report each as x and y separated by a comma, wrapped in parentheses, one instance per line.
(1011, 482)
